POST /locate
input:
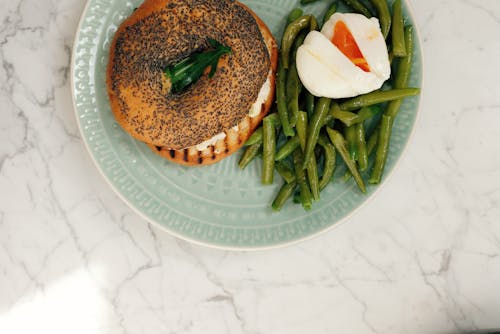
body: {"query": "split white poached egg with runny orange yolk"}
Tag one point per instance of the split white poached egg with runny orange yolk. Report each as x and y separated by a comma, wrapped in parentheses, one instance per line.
(347, 58)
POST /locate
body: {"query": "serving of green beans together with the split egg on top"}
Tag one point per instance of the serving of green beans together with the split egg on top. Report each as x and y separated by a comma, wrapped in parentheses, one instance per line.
(336, 100)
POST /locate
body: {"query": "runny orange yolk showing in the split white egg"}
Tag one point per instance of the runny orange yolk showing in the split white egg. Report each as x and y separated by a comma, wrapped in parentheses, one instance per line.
(345, 42)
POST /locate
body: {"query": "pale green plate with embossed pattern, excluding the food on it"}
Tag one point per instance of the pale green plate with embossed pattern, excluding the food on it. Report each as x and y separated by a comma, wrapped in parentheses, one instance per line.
(218, 205)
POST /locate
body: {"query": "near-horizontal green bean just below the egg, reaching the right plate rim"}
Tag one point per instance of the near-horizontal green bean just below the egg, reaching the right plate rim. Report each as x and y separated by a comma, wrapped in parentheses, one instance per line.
(378, 97)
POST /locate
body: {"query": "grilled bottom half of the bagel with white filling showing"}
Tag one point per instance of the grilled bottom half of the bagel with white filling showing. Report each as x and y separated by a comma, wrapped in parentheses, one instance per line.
(234, 137)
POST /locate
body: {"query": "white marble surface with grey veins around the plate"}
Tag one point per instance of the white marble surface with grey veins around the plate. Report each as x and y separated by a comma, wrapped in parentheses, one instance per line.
(422, 257)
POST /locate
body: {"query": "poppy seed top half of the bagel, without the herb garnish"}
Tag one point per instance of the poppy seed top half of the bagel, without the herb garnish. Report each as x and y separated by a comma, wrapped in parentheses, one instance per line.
(161, 33)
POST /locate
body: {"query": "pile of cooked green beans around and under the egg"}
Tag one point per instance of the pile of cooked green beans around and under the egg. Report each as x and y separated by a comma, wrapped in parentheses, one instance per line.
(302, 138)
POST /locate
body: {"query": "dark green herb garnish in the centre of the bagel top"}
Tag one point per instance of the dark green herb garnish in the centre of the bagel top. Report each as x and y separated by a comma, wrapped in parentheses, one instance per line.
(190, 69)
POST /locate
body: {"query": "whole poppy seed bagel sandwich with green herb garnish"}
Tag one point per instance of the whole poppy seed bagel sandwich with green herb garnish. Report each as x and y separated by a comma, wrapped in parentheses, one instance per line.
(192, 79)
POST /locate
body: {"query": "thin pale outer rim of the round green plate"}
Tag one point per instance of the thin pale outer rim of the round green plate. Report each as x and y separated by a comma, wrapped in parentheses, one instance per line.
(325, 230)
